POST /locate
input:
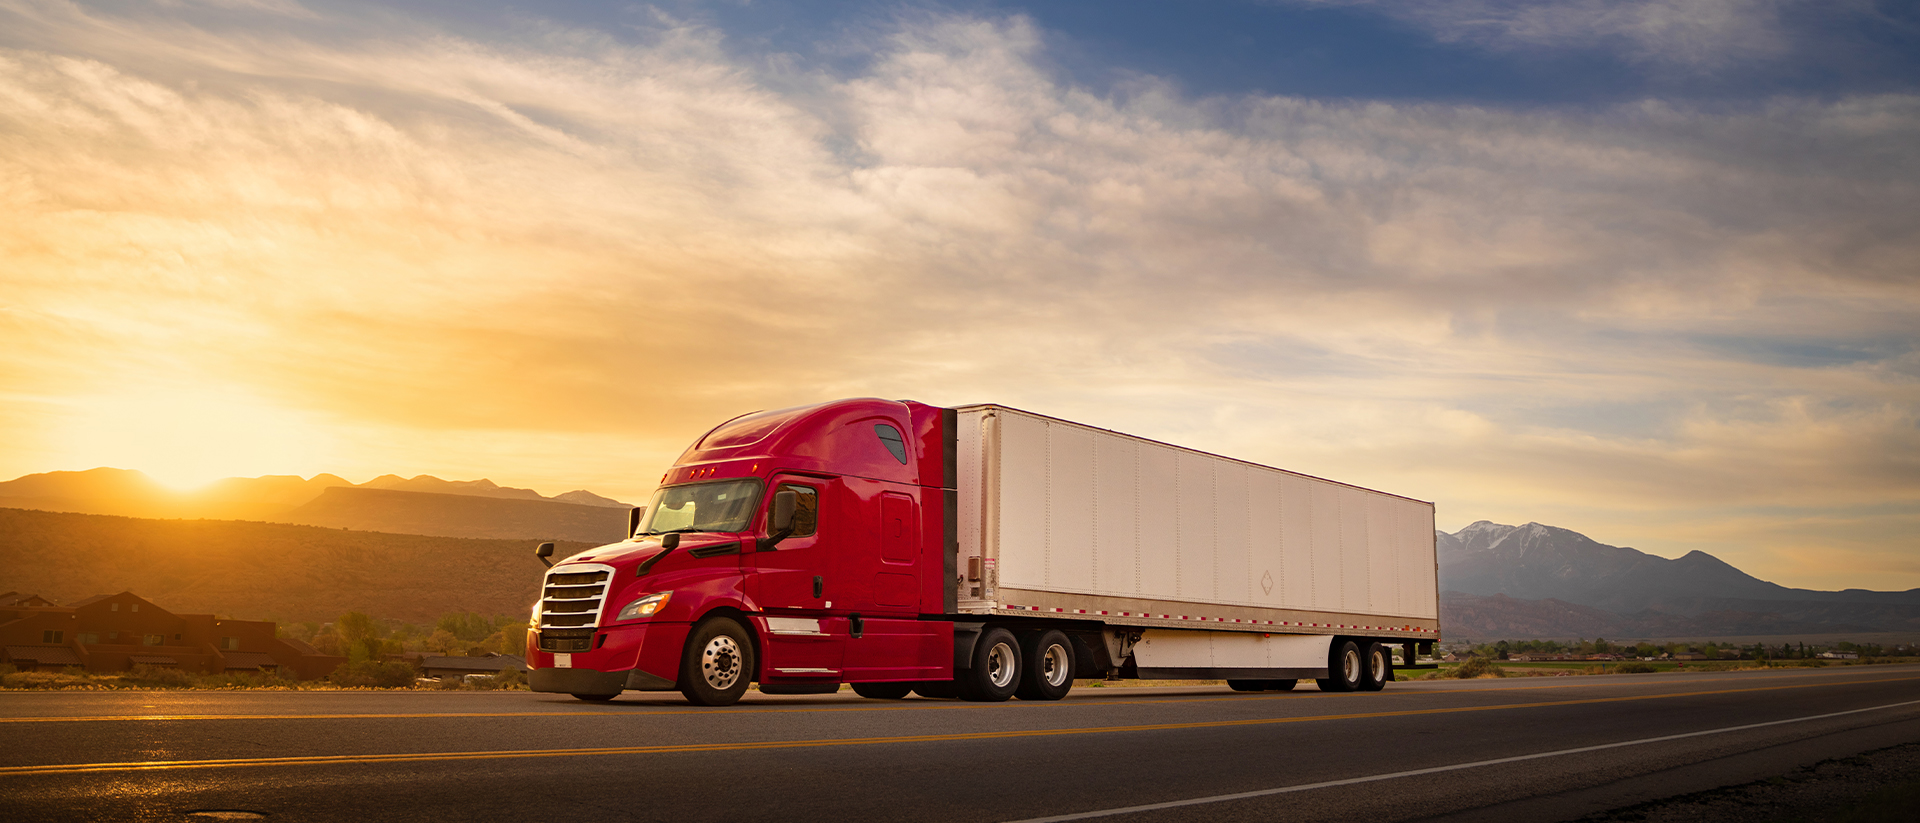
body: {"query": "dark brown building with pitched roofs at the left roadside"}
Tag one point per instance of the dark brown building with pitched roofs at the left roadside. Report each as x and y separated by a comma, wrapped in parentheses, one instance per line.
(120, 632)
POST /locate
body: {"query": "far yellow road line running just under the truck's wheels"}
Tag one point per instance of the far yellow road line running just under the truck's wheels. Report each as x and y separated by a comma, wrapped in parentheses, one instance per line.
(917, 707)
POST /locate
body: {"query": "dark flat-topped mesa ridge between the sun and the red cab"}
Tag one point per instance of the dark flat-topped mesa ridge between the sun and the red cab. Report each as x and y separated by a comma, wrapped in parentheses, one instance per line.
(418, 513)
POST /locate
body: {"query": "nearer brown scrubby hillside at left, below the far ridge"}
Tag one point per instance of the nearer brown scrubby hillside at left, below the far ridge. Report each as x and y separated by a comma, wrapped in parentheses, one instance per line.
(266, 571)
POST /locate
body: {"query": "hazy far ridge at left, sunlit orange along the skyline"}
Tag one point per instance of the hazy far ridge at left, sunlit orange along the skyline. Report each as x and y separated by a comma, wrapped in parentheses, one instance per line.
(500, 511)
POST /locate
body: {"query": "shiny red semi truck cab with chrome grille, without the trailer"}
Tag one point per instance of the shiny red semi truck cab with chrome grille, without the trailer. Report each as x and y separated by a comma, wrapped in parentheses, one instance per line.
(796, 548)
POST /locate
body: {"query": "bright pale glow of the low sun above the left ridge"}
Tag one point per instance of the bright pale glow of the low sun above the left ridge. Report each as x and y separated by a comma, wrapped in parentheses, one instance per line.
(189, 438)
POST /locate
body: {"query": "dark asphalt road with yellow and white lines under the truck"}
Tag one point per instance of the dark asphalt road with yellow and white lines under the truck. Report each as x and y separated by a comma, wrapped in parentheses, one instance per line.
(1483, 751)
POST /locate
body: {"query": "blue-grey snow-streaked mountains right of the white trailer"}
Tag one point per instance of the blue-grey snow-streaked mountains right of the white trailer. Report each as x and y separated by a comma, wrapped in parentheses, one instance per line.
(1548, 582)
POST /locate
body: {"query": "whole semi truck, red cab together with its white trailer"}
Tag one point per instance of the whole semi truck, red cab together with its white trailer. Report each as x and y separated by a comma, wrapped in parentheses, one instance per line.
(982, 553)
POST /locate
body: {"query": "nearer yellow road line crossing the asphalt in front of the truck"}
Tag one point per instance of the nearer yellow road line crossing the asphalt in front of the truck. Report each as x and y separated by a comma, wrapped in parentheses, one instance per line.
(852, 741)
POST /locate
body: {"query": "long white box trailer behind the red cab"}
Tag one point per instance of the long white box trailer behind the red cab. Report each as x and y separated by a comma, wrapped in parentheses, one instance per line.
(1174, 563)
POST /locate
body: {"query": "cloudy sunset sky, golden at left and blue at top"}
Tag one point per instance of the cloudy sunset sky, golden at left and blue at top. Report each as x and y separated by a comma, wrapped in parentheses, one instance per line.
(1643, 270)
